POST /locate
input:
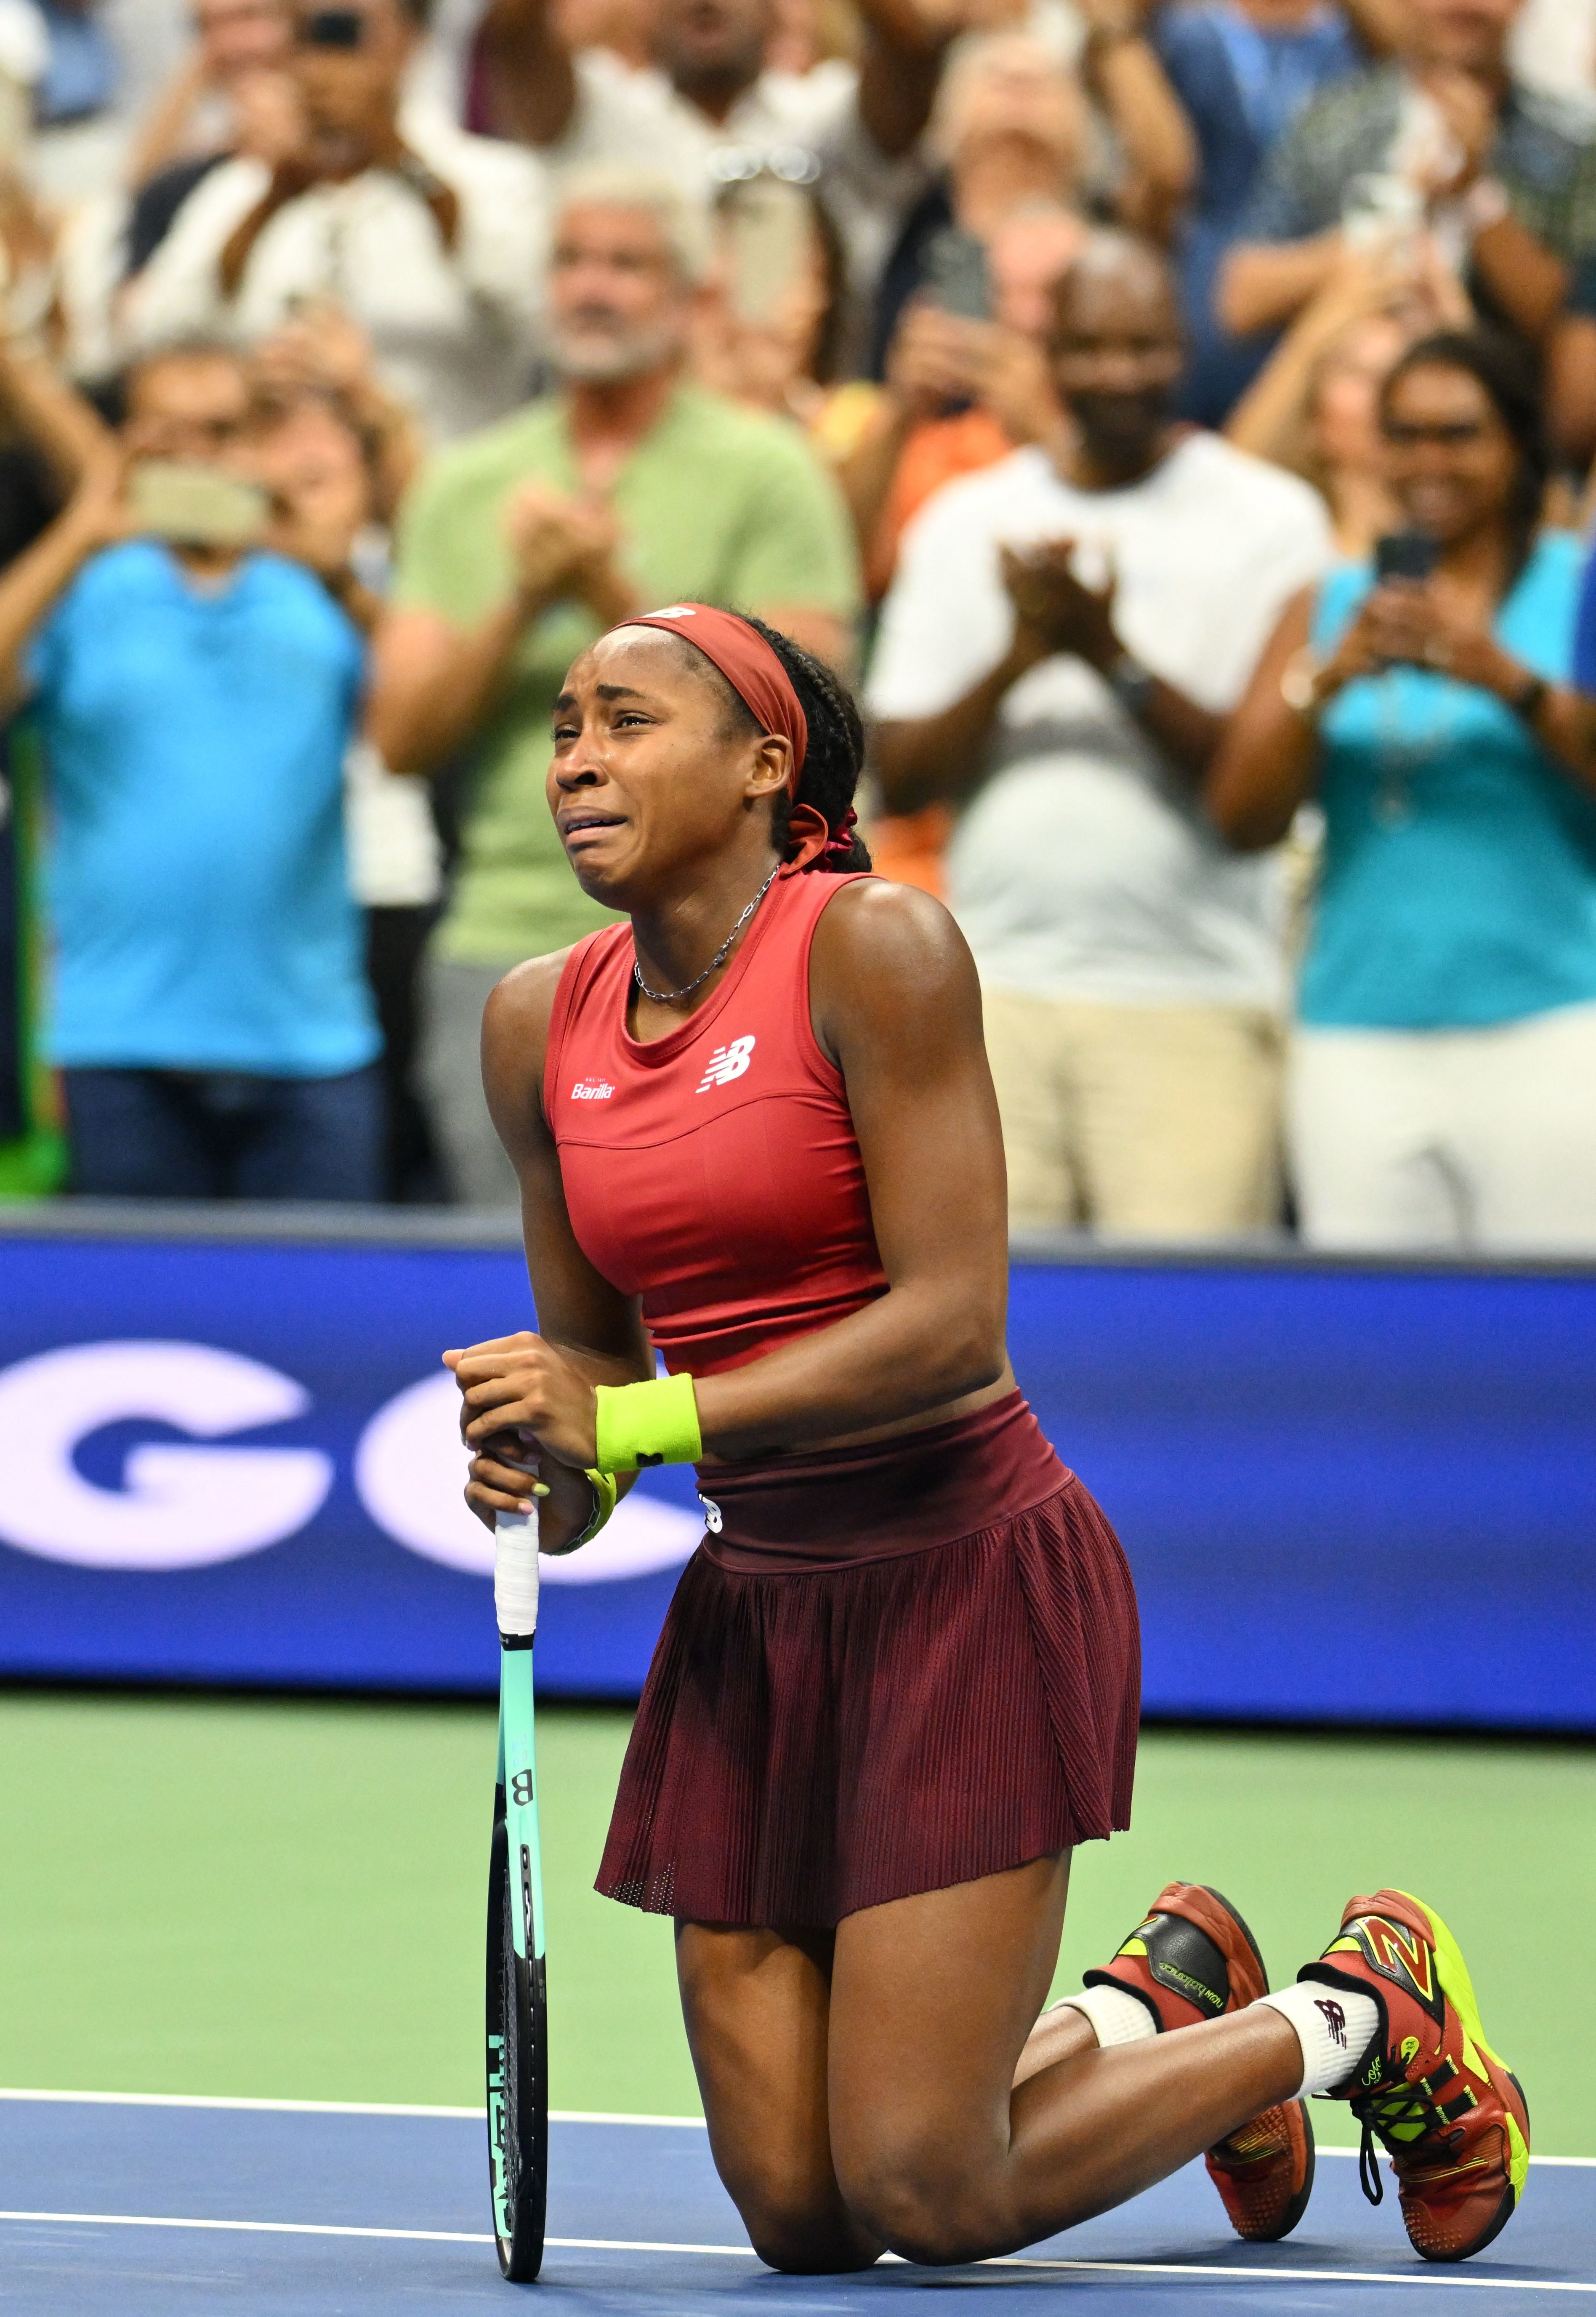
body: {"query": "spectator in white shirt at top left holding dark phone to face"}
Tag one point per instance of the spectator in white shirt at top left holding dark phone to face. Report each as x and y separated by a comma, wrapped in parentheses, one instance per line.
(430, 240)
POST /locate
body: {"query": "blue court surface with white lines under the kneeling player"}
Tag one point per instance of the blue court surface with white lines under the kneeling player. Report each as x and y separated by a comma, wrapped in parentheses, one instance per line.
(161, 2209)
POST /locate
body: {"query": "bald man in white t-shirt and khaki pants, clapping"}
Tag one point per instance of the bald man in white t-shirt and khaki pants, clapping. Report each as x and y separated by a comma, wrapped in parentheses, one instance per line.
(1060, 650)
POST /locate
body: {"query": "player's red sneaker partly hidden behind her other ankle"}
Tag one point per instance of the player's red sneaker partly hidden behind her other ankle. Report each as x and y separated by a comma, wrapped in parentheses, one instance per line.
(1194, 1959)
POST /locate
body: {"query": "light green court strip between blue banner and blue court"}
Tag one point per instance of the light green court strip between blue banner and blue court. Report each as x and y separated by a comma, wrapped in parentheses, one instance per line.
(286, 1899)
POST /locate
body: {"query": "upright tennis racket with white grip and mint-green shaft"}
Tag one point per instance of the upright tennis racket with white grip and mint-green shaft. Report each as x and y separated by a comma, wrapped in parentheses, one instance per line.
(518, 2017)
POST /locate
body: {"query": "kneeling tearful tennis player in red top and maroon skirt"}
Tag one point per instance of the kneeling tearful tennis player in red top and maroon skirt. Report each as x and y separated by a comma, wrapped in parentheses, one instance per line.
(900, 1679)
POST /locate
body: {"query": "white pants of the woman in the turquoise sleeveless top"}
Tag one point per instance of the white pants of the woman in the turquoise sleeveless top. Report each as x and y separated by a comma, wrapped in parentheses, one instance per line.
(1477, 1139)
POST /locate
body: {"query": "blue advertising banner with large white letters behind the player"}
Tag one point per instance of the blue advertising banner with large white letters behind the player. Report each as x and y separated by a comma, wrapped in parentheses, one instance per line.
(1347, 1493)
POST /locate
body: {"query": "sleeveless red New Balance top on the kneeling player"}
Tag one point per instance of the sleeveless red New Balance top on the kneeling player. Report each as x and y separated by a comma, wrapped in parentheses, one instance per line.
(715, 1171)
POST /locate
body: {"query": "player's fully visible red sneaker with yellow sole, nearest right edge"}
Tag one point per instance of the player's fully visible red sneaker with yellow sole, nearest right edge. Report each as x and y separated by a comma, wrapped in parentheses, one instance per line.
(1428, 2086)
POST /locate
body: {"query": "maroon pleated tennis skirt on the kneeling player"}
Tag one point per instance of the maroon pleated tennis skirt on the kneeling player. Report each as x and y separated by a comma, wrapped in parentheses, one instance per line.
(884, 1672)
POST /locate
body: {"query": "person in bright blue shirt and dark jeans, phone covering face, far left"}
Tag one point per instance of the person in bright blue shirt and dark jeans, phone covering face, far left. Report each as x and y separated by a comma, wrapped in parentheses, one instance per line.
(210, 1007)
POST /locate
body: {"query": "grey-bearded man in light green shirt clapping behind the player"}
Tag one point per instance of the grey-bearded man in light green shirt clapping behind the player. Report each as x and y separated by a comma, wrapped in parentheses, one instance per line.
(518, 548)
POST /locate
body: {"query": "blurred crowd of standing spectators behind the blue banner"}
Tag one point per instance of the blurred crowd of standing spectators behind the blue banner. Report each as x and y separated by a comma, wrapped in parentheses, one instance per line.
(1176, 416)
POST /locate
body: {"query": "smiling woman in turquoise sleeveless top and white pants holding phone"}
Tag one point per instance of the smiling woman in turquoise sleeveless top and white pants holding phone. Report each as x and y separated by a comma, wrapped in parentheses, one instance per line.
(1444, 1067)
